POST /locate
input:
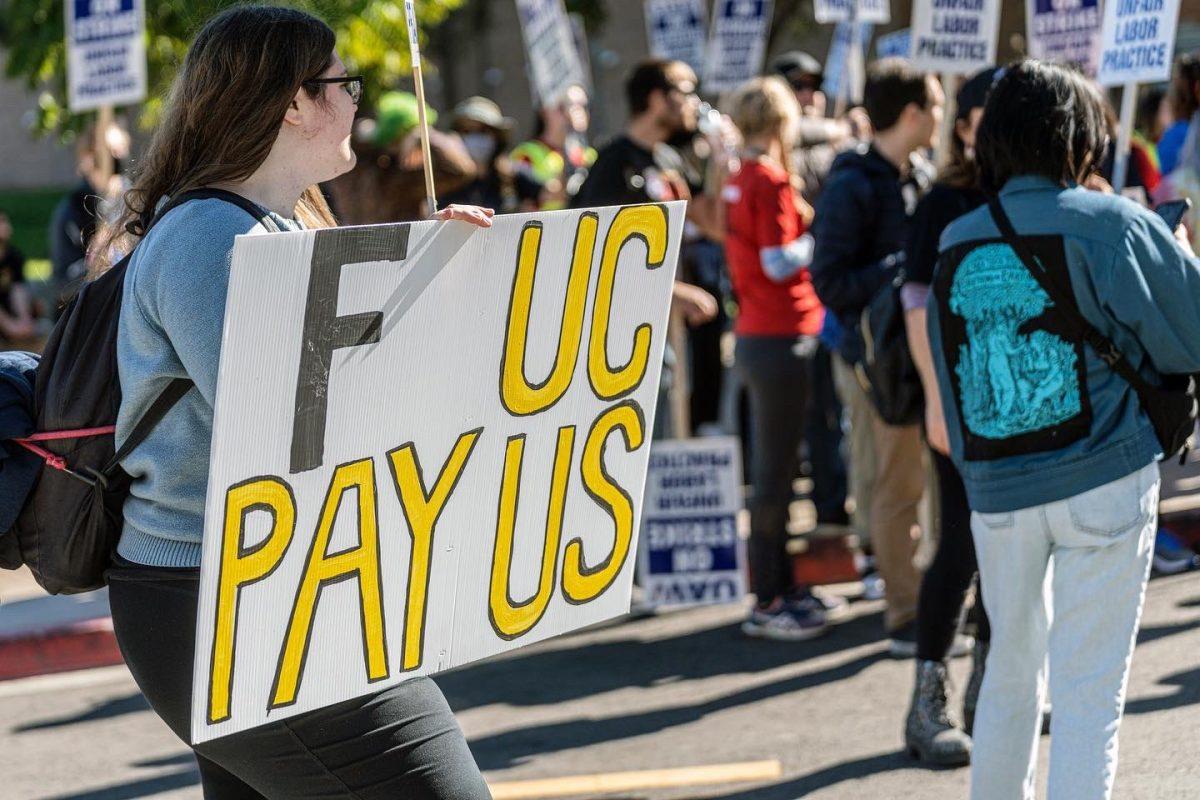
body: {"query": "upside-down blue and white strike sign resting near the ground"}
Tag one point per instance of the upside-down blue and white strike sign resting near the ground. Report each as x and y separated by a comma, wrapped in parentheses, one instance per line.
(692, 554)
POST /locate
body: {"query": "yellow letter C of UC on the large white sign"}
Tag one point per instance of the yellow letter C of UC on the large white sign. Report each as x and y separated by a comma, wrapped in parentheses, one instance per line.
(649, 225)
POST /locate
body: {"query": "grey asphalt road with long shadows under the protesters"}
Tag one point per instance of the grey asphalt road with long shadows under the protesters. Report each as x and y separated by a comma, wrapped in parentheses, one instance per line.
(675, 691)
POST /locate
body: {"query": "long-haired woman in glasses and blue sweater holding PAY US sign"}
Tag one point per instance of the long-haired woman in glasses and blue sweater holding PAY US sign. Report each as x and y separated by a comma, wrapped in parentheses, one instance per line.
(260, 115)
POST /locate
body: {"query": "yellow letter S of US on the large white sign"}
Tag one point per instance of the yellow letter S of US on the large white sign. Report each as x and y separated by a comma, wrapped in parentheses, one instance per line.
(580, 582)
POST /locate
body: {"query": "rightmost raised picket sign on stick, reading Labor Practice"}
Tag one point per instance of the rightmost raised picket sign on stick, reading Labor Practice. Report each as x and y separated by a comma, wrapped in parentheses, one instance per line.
(1137, 45)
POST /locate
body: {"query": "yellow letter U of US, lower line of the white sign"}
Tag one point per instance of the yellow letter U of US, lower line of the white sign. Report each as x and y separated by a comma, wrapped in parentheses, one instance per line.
(512, 619)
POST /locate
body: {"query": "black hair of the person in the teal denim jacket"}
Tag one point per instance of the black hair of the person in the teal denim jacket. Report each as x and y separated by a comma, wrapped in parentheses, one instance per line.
(1041, 119)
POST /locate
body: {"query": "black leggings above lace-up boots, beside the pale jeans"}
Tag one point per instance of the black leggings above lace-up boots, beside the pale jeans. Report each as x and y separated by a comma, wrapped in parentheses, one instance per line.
(949, 579)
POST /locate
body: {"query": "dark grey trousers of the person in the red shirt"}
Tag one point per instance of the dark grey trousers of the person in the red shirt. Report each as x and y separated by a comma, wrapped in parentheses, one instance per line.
(777, 375)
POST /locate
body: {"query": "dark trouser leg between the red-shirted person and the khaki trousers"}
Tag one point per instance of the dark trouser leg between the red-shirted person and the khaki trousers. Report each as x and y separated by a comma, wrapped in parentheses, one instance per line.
(824, 436)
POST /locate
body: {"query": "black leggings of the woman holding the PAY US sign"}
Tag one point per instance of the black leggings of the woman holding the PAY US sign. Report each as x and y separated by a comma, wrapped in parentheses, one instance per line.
(403, 742)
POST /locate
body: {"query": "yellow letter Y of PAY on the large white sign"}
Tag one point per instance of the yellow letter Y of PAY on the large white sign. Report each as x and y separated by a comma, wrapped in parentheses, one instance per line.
(423, 510)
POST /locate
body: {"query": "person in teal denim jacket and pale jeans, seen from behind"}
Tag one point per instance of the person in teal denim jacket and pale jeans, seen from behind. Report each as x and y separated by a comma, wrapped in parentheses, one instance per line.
(1060, 321)
